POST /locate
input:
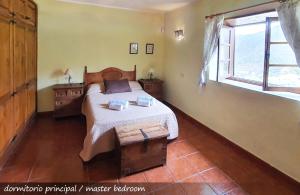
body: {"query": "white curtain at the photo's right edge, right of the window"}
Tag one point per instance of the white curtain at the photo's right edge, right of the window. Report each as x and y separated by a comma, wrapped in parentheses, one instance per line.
(289, 17)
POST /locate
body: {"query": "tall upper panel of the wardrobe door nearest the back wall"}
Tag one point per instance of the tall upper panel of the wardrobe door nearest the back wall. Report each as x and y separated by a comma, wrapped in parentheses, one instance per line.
(31, 54)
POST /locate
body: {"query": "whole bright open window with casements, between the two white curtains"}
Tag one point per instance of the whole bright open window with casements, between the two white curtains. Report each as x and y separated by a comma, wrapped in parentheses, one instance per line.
(254, 50)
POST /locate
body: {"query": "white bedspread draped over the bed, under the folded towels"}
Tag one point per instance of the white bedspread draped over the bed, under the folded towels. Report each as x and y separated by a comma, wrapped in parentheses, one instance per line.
(101, 121)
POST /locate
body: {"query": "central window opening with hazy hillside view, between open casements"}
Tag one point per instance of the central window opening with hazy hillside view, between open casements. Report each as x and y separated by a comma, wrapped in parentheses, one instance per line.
(249, 52)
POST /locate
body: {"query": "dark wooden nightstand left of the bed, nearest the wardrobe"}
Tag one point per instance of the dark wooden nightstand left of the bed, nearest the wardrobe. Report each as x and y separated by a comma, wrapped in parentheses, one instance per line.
(68, 99)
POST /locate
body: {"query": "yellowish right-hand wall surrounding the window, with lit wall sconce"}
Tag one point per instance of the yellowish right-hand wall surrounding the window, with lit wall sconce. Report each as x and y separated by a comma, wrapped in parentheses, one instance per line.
(263, 124)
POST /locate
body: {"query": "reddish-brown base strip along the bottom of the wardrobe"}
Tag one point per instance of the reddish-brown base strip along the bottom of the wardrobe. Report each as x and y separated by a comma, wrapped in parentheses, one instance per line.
(15, 142)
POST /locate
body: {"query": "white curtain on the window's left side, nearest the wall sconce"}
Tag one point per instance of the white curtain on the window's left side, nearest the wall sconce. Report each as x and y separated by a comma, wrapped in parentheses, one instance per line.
(212, 34)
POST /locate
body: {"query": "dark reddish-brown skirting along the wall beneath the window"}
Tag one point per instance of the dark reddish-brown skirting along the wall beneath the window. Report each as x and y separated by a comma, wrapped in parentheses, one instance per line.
(269, 168)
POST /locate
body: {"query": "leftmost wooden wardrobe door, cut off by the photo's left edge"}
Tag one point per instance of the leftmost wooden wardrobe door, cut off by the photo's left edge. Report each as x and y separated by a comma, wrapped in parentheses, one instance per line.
(6, 82)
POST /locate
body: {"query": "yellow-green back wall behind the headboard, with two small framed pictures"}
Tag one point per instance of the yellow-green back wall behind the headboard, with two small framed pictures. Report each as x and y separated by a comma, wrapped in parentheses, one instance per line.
(74, 35)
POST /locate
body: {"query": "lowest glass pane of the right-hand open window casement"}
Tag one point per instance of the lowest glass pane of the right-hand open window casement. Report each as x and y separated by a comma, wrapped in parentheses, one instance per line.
(284, 77)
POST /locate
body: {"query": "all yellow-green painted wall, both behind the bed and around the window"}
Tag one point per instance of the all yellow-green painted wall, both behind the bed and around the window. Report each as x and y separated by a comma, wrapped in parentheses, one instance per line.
(72, 35)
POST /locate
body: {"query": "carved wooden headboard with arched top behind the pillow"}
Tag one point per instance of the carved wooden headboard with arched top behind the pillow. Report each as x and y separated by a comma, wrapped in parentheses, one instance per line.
(108, 74)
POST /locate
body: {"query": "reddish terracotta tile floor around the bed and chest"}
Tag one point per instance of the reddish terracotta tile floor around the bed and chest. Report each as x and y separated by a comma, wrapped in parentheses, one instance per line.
(198, 162)
